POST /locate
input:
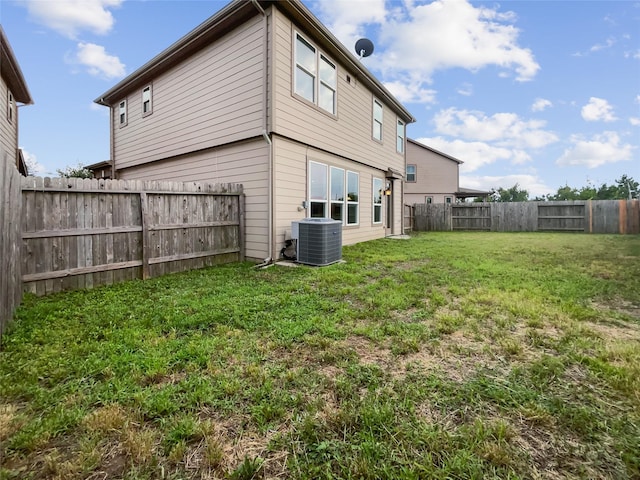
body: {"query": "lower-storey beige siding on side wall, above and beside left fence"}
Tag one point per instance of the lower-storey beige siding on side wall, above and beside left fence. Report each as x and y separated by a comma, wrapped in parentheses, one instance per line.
(245, 163)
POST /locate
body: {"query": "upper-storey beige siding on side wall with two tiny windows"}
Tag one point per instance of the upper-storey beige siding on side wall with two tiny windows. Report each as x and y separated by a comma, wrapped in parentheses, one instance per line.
(212, 98)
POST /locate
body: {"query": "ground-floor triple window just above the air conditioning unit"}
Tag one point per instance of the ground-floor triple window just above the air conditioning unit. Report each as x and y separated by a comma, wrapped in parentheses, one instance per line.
(343, 198)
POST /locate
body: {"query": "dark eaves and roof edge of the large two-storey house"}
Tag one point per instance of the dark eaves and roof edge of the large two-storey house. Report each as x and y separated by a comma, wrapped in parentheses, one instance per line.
(228, 18)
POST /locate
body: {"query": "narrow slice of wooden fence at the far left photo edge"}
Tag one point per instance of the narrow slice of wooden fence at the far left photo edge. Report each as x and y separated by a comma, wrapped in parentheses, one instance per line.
(10, 208)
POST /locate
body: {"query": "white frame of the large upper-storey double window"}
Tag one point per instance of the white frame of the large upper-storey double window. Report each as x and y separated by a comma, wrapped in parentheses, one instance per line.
(321, 83)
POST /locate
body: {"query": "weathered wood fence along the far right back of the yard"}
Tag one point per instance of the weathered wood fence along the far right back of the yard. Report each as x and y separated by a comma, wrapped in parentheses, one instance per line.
(597, 216)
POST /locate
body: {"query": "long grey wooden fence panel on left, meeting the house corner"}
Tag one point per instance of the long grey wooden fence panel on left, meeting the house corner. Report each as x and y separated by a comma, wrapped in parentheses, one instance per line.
(83, 233)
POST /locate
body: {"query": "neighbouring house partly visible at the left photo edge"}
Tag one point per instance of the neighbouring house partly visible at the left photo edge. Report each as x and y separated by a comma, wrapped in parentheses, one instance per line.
(13, 90)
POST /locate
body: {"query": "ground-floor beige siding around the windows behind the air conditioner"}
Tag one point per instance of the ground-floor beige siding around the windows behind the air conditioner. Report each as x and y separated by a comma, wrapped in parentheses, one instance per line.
(291, 184)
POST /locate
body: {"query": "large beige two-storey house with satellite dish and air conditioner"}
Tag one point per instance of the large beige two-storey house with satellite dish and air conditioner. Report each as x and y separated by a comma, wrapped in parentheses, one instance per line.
(264, 95)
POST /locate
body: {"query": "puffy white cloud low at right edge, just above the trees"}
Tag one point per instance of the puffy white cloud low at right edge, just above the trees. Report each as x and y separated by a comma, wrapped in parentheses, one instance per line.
(602, 149)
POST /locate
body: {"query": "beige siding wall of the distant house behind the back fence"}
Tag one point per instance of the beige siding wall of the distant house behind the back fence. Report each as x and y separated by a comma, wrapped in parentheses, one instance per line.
(436, 175)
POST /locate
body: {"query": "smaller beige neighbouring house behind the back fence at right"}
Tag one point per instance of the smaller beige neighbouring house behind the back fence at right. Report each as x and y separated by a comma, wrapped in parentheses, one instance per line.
(433, 177)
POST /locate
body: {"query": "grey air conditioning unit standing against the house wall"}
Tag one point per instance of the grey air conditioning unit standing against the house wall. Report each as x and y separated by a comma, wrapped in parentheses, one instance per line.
(318, 241)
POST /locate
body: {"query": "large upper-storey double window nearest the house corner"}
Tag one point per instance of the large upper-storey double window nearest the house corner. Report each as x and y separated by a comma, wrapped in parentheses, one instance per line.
(316, 77)
